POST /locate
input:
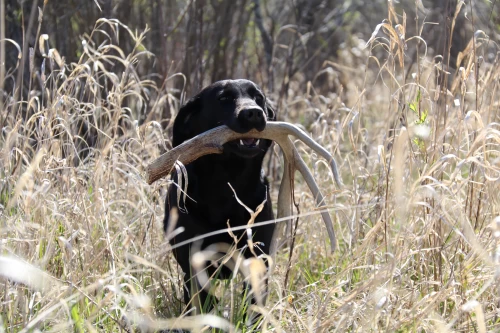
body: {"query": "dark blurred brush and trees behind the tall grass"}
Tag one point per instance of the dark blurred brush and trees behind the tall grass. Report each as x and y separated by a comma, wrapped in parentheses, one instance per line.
(270, 42)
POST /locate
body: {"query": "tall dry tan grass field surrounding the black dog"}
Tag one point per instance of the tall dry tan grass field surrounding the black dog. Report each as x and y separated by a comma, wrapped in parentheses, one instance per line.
(82, 246)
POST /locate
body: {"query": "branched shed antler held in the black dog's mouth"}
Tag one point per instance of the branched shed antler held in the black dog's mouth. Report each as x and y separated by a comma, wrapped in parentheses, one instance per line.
(212, 141)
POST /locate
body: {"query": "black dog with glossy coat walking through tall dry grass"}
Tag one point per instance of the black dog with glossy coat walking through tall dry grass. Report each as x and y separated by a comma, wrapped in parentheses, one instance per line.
(211, 203)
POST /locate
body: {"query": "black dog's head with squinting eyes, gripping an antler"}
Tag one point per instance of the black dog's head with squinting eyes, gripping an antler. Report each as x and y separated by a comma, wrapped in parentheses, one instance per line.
(238, 104)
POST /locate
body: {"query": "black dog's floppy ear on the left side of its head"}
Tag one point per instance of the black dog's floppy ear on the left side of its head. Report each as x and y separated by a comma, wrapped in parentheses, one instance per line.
(184, 123)
